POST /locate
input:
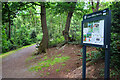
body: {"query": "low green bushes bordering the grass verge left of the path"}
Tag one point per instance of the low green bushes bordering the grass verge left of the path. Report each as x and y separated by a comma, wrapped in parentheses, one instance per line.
(20, 38)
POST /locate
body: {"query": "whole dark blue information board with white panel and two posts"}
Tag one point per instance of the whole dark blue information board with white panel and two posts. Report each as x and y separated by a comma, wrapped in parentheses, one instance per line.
(96, 33)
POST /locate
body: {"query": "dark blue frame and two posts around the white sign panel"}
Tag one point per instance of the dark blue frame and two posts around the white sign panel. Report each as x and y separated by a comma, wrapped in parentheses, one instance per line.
(106, 46)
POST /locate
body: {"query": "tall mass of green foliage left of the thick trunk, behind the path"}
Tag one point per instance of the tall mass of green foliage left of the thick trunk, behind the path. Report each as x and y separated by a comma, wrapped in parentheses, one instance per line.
(24, 27)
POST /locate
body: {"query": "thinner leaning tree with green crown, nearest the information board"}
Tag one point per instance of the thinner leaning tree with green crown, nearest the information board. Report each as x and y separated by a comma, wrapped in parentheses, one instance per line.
(69, 8)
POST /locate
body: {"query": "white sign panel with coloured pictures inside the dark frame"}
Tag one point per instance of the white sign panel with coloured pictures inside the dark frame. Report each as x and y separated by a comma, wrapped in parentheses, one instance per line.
(93, 32)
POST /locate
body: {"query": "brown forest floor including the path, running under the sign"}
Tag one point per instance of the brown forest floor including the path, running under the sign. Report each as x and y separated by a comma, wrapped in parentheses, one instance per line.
(18, 65)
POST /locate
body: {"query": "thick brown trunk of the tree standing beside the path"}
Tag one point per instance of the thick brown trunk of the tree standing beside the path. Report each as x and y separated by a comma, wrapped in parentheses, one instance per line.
(44, 43)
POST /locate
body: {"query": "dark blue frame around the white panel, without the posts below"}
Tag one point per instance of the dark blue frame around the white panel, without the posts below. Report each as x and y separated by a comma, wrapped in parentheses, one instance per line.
(106, 19)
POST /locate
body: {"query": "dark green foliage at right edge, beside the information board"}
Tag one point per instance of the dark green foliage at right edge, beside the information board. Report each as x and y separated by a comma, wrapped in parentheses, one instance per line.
(115, 37)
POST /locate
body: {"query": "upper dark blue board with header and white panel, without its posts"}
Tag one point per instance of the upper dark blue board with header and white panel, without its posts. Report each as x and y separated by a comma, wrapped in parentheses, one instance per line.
(94, 28)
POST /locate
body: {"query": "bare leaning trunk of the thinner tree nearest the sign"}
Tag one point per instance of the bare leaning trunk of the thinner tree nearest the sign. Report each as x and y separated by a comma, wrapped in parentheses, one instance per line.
(67, 25)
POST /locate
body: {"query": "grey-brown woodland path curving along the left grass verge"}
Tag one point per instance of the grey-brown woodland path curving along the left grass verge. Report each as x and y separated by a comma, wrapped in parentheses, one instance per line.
(13, 66)
